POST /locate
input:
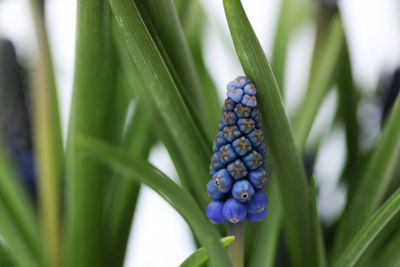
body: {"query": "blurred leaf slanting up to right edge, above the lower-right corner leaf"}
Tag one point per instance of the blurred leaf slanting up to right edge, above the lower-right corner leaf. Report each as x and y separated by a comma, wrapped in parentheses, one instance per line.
(374, 181)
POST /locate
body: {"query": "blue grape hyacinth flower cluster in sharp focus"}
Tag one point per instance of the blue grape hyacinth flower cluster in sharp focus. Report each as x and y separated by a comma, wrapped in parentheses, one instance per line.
(238, 163)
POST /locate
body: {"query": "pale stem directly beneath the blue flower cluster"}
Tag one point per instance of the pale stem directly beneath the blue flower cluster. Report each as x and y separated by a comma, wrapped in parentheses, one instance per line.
(236, 249)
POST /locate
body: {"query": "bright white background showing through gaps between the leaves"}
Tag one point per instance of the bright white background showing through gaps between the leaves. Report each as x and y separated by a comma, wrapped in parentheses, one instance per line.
(160, 237)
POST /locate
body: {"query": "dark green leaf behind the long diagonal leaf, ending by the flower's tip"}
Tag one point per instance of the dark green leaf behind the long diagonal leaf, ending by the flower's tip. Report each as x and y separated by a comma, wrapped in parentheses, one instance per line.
(164, 26)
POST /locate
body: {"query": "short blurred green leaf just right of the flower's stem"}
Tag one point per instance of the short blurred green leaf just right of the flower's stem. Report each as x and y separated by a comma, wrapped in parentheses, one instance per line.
(264, 244)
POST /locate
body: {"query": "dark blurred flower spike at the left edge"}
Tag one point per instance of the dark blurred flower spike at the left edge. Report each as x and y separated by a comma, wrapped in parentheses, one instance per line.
(15, 123)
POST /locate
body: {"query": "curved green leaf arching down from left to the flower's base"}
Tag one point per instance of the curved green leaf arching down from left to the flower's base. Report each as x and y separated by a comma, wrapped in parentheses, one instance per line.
(180, 199)
